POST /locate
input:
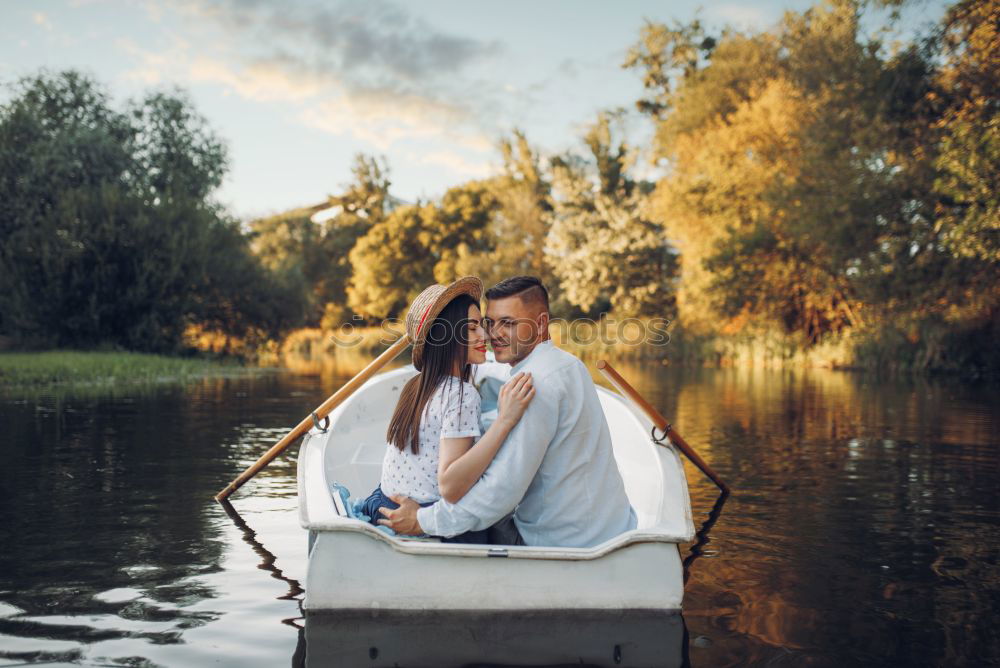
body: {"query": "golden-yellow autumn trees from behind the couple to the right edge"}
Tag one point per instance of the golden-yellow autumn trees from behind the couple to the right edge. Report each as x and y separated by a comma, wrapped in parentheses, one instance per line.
(812, 182)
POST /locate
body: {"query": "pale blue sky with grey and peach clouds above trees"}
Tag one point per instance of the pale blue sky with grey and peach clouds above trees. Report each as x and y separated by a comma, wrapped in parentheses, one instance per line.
(296, 88)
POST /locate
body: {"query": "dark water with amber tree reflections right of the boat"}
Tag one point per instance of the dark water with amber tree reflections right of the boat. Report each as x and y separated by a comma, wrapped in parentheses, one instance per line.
(846, 493)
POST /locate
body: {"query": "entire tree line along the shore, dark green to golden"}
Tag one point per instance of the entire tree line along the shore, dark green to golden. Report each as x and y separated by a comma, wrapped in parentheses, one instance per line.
(813, 194)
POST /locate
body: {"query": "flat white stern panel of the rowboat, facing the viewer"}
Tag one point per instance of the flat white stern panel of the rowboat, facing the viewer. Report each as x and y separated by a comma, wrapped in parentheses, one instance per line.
(352, 570)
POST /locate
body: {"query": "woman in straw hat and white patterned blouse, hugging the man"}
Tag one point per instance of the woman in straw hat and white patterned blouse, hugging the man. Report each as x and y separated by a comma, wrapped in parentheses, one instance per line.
(436, 447)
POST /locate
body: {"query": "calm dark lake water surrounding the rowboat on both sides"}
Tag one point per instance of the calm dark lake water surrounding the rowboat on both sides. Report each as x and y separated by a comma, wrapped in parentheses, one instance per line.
(863, 529)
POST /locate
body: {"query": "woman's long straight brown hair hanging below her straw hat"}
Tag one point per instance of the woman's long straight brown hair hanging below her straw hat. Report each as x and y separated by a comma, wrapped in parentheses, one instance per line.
(447, 340)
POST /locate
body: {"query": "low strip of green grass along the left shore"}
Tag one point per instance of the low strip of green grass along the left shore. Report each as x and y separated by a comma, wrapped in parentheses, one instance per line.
(34, 370)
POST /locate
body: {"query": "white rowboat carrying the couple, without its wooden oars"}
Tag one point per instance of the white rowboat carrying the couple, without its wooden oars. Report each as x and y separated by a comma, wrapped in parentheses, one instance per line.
(354, 567)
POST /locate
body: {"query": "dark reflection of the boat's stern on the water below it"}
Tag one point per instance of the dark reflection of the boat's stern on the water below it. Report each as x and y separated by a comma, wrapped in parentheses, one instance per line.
(474, 638)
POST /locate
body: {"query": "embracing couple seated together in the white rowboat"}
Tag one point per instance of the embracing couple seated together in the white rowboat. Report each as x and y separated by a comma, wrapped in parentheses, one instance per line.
(542, 474)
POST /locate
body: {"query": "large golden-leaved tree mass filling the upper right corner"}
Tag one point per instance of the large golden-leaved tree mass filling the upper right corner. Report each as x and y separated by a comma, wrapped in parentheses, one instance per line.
(819, 184)
